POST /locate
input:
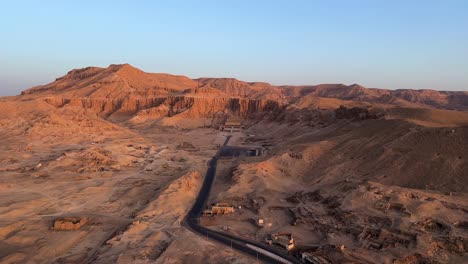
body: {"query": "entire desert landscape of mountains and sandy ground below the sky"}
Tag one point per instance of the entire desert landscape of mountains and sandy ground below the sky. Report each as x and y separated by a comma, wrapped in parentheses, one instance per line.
(107, 165)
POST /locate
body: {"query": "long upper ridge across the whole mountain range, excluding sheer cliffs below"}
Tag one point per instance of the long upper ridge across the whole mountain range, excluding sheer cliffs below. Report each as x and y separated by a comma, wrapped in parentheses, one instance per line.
(125, 81)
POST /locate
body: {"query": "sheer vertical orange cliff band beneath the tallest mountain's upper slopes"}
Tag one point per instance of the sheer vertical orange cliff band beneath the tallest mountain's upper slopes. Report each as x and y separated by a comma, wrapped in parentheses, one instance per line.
(169, 106)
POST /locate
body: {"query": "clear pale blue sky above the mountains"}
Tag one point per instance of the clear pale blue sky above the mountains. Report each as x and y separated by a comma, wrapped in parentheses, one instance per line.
(376, 43)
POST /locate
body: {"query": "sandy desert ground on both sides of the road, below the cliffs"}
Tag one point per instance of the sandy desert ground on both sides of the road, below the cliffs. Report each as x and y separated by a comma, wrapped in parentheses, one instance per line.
(365, 191)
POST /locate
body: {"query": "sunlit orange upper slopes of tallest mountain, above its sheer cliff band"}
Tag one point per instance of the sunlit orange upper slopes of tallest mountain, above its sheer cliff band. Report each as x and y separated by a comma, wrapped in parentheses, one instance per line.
(124, 80)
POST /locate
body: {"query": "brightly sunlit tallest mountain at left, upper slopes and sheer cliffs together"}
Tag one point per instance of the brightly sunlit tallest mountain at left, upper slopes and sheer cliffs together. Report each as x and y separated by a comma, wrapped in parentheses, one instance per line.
(121, 92)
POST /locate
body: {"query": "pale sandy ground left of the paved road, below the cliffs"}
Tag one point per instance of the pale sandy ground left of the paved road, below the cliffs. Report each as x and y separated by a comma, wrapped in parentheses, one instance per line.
(134, 184)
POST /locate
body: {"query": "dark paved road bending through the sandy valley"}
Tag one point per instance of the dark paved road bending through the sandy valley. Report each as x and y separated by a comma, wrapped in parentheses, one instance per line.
(192, 222)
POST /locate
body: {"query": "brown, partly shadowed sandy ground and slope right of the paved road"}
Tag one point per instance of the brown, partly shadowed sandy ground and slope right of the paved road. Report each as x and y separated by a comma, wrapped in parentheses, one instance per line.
(321, 188)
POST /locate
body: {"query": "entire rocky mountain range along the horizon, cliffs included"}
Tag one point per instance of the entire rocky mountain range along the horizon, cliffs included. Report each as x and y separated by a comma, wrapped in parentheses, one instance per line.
(121, 92)
